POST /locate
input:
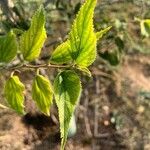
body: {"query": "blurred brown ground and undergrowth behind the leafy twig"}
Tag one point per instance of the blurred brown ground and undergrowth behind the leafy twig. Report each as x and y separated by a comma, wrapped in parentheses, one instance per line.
(114, 109)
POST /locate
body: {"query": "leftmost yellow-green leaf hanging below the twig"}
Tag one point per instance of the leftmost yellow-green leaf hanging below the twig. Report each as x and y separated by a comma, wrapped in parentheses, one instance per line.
(14, 94)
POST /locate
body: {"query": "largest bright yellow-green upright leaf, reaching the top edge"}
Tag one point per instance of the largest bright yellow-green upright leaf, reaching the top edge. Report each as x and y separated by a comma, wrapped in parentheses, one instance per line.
(82, 37)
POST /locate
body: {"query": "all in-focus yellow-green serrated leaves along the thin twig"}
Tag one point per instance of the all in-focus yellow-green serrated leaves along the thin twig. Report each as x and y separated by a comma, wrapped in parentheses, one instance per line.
(77, 52)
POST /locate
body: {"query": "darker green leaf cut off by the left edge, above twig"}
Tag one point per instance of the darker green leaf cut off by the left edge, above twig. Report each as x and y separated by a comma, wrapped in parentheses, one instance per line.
(8, 47)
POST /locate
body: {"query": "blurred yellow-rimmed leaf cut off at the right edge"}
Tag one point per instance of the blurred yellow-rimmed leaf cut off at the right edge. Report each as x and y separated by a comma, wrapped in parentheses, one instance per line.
(145, 27)
